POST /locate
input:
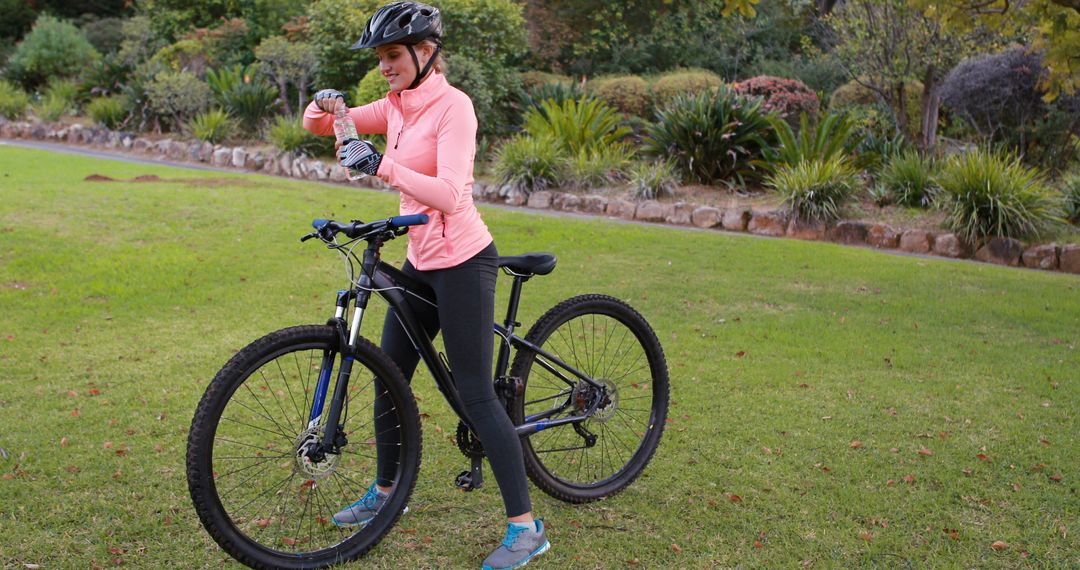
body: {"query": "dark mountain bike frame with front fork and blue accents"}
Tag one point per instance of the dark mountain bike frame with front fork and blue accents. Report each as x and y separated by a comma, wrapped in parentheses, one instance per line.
(394, 286)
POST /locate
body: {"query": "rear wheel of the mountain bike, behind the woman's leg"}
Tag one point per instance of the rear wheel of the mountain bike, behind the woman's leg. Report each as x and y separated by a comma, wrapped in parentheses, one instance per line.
(611, 343)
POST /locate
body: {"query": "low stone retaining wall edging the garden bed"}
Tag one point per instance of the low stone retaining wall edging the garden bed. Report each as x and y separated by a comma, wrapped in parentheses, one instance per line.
(772, 223)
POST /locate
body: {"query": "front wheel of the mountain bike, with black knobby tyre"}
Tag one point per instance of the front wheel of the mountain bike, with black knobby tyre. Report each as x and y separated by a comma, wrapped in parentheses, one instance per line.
(258, 495)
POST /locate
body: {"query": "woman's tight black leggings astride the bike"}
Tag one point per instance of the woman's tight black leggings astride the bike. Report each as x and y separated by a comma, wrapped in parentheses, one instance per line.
(466, 313)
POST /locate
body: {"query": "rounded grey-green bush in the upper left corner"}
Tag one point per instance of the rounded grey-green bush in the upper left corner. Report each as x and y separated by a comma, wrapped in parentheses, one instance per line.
(53, 49)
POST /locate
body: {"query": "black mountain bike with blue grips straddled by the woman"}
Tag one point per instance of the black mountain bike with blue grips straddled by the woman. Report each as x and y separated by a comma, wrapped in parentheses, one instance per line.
(276, 449)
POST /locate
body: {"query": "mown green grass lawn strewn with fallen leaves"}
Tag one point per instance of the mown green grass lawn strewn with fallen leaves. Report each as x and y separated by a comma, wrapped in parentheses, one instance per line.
(831, 406)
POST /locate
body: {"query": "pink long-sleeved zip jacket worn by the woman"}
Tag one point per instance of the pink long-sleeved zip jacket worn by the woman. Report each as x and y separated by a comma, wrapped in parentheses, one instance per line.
(431, 142)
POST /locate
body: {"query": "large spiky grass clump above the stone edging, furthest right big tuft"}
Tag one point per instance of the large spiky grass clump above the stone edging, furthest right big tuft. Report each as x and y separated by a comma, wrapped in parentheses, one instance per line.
(989, 194)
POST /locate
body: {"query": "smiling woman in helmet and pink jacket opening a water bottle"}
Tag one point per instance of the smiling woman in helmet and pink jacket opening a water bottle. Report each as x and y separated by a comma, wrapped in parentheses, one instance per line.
(431, 140)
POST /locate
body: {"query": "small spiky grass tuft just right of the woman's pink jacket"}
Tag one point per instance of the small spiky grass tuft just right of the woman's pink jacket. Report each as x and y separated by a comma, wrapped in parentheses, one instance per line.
(531, 165)
